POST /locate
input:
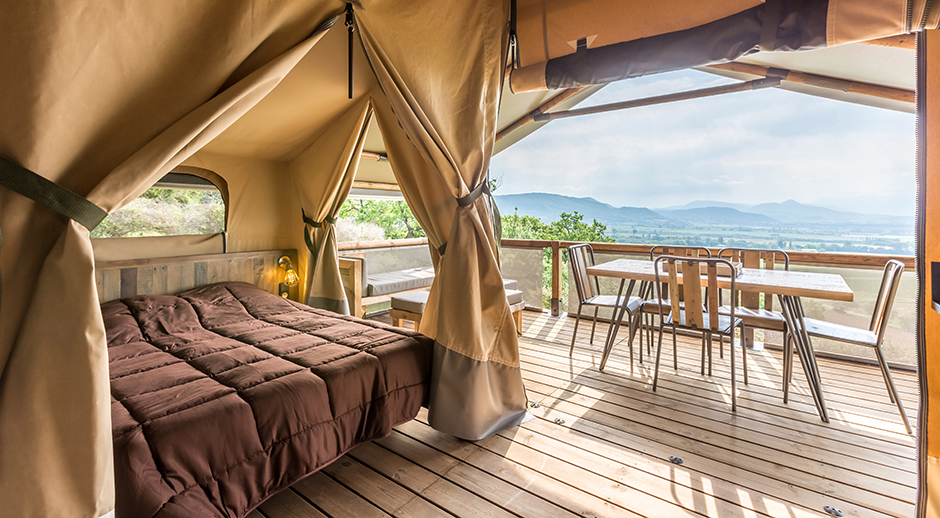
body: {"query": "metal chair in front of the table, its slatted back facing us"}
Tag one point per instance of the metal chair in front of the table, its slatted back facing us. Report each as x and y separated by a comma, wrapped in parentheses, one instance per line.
(697, 314)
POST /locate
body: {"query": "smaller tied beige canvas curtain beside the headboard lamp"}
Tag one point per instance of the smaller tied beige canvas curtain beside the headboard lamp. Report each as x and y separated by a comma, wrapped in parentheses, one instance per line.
(321, 178)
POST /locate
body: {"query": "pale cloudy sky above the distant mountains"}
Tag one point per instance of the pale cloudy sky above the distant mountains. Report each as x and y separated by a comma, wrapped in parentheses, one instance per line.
(751, 147)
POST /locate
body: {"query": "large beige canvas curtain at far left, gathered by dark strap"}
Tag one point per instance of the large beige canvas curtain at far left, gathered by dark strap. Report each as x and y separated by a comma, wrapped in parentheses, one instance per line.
(93, 100)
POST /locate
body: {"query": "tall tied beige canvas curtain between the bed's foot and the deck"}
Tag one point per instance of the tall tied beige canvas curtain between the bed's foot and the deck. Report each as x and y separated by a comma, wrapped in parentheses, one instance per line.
(440, 65)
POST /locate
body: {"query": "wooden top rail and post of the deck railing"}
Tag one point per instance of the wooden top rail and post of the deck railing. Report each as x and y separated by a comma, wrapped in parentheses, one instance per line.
(833, 259)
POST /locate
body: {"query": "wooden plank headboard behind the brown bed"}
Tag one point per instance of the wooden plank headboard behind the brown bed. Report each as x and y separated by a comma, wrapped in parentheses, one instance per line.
(172, 275)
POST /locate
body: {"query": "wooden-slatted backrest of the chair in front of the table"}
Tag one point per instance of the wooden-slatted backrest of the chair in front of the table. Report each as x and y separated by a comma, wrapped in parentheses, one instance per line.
(686, 272)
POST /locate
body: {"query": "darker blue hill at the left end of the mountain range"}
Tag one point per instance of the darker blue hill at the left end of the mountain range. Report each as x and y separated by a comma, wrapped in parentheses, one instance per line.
(548, 207)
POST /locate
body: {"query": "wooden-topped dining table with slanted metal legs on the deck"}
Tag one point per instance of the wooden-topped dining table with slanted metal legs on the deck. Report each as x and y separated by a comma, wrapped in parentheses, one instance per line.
(789, 286)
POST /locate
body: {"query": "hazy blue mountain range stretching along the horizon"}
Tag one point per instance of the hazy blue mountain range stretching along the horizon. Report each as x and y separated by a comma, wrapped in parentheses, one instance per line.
(547, 207)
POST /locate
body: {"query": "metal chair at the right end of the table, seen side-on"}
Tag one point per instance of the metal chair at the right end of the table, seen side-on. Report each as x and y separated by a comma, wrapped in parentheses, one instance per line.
(872, 337)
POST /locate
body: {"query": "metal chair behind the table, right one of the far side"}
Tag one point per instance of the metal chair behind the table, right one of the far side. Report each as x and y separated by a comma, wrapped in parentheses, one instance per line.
(747, 303)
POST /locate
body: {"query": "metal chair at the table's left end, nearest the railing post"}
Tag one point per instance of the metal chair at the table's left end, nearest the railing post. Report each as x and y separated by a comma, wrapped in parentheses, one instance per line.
(589, 294)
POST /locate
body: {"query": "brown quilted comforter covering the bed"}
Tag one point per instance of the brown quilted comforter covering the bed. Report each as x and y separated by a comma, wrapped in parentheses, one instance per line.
(225, 394)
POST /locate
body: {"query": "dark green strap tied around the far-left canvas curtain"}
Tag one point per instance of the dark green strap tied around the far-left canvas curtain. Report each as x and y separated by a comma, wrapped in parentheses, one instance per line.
(29, 184)
